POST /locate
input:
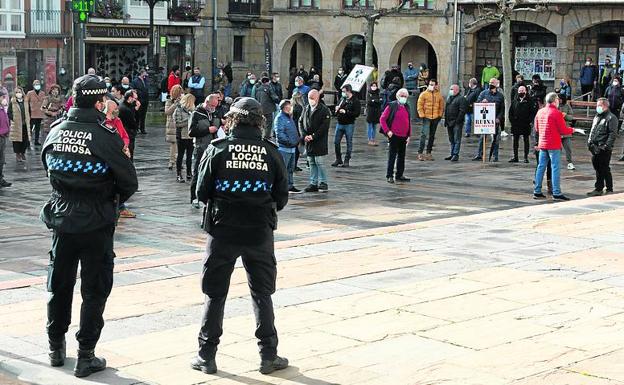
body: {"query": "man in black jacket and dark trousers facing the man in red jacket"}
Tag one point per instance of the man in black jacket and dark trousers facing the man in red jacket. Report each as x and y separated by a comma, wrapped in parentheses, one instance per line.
(600, 143)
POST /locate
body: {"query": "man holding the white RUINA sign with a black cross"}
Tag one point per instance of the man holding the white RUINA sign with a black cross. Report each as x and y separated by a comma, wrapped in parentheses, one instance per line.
(490, 95)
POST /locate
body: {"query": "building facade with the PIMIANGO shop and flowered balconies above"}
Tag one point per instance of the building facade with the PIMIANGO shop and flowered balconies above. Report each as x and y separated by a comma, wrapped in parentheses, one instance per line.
(117, 36)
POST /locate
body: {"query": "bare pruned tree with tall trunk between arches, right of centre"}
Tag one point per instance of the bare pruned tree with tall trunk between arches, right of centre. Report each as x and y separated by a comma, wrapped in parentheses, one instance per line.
(502, 12)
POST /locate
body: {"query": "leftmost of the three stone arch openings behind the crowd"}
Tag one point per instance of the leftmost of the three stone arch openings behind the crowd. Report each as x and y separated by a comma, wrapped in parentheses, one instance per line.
(309, 52)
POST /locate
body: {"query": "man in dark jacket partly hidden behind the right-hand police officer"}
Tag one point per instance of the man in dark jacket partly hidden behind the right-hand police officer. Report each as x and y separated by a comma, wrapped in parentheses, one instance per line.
(203, 126)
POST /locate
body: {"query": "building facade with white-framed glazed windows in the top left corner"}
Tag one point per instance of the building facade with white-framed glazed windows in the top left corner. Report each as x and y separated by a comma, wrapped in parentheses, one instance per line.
(34, 41)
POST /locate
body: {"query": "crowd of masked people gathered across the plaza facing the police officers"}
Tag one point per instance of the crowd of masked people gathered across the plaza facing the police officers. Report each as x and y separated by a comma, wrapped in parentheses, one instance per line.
(298, 119)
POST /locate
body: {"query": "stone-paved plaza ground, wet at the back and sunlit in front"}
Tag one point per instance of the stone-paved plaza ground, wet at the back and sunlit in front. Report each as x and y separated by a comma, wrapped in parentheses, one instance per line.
(458, 277)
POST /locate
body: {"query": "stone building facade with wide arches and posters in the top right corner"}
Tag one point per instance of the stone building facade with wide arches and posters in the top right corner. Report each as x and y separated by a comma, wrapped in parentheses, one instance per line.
(553, 42)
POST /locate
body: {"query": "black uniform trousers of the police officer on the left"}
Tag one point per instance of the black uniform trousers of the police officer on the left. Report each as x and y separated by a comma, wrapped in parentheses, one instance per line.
(94, 250)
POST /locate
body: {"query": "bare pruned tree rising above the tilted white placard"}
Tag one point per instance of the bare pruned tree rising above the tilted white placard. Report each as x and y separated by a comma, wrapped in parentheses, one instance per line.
(371, 16)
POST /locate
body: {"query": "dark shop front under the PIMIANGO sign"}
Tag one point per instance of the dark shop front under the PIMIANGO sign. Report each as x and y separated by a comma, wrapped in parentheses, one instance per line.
(116, 50)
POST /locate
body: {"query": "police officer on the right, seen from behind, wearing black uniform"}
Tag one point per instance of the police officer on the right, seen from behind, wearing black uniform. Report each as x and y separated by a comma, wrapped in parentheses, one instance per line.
(243, 182)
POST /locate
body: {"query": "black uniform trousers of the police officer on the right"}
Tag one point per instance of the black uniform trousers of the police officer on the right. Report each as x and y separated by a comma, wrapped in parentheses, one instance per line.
(259, 262)
